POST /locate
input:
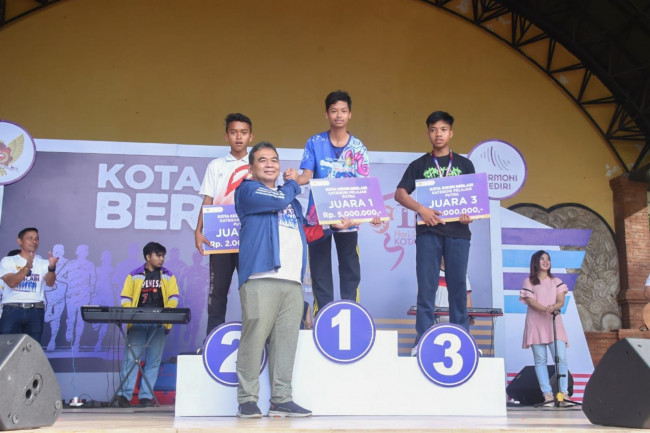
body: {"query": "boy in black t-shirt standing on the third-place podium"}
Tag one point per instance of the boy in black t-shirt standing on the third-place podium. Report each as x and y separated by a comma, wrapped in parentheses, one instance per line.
(436, 239)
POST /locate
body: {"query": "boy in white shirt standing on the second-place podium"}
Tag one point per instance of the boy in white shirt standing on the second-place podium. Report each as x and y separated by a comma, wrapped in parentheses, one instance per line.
(222, 177)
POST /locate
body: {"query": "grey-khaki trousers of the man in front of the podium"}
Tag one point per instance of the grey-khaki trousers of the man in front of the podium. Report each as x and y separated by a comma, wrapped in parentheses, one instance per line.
(270, 307)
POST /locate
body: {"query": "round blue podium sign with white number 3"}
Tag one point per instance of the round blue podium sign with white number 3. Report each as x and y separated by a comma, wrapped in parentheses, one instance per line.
(447, 355)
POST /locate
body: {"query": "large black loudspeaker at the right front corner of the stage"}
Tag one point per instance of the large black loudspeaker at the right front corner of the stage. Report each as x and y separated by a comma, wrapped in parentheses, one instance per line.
(617, 392)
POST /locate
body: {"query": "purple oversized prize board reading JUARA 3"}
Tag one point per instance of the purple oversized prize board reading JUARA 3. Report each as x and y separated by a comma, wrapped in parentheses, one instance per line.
(455, 195)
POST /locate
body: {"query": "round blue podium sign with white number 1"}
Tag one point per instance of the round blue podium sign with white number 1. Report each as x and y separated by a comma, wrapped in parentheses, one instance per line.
(344, 332)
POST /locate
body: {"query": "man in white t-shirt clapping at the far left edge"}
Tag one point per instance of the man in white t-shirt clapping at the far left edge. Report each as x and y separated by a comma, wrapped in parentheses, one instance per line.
(24, 275)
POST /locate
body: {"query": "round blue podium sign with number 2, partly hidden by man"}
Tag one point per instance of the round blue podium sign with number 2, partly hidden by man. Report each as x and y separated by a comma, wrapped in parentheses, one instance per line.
(220, 353)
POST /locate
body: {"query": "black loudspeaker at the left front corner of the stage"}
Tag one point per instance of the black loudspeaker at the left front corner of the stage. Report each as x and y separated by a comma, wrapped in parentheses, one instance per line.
(30, 395)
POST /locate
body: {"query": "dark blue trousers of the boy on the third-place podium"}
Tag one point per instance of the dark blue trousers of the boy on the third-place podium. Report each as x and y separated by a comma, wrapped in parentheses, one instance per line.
(430, 248)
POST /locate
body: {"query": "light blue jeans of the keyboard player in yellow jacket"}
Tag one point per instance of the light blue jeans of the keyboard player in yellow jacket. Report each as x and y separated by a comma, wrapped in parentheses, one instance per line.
(137, 337)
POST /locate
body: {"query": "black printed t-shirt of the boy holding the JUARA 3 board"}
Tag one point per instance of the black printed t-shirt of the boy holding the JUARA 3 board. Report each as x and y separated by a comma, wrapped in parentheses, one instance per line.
(425, 168)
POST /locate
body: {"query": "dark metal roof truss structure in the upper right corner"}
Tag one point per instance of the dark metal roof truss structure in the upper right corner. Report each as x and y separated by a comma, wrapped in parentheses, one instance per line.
(597, 51)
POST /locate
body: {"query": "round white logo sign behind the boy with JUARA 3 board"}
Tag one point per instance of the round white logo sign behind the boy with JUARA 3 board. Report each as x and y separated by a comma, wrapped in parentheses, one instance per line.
(504, 165)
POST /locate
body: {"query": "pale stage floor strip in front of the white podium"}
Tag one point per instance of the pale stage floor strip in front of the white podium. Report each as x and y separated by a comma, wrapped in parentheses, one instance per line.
(162, 420)
